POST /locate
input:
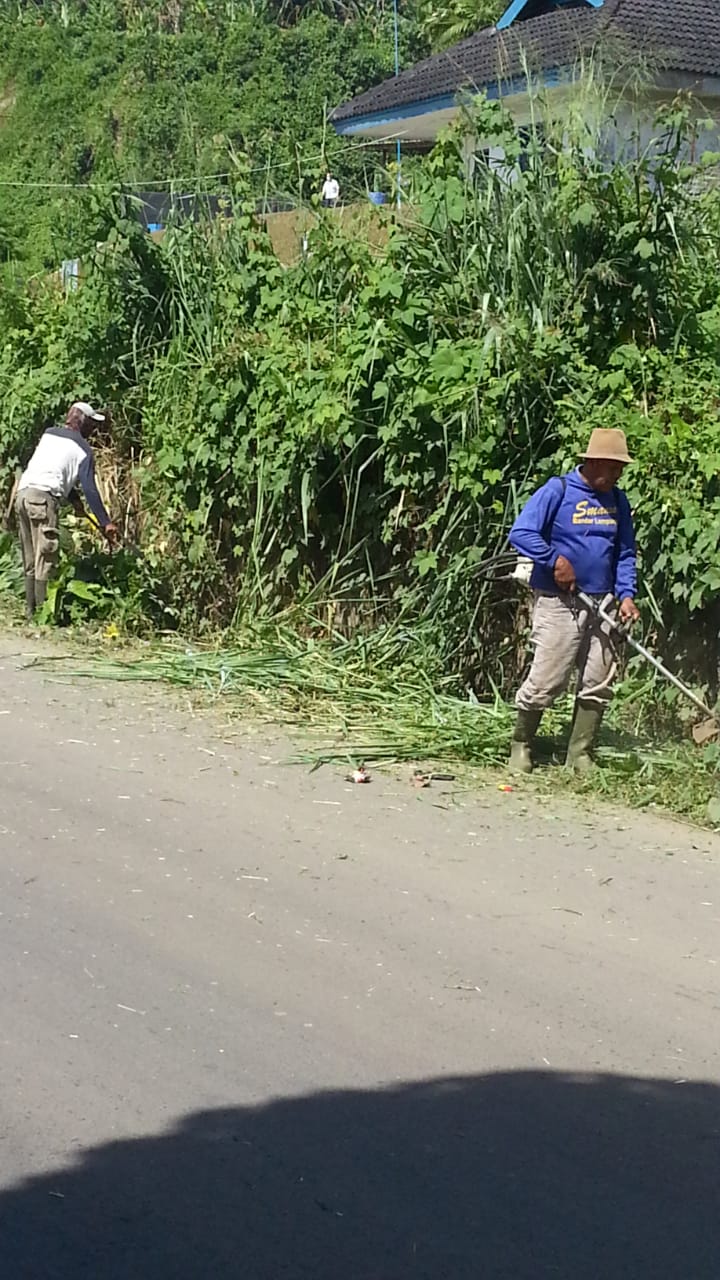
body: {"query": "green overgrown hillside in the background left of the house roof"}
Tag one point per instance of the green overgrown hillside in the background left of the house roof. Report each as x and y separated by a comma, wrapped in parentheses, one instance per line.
(99, 92)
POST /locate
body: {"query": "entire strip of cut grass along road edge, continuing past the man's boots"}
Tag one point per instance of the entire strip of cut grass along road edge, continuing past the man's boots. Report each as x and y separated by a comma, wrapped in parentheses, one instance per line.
(376, 700)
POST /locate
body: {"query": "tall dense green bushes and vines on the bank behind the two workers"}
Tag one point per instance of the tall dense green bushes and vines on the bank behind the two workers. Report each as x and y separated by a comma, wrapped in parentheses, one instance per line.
(362, 427)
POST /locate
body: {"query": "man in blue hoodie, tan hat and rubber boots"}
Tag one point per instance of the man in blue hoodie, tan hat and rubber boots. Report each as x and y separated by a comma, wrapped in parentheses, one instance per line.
(578, 532)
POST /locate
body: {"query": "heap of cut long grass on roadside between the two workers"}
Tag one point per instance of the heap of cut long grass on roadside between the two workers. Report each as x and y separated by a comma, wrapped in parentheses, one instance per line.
(368, 700)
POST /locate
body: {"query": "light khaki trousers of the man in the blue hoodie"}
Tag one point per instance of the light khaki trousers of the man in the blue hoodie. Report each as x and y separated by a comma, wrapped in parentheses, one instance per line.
(566, 639)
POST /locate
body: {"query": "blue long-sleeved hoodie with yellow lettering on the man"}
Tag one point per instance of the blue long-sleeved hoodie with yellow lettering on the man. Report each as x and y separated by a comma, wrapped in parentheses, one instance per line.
(594, 531)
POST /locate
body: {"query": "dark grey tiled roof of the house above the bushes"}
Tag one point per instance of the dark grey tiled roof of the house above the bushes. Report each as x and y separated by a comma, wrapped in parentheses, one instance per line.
(682, 35)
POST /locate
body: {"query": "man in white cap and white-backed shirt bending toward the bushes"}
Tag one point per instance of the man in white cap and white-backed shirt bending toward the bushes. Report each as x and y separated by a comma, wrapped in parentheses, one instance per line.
(62, 461)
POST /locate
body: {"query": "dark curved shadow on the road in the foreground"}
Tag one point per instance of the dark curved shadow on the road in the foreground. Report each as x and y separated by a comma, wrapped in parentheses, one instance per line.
(520, 1176)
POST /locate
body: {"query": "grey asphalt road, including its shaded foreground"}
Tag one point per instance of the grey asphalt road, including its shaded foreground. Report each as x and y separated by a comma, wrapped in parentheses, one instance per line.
(263, 1025)
